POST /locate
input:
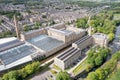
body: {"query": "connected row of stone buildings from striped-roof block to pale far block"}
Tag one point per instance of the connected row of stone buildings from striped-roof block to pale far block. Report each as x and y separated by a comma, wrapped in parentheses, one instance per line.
(67, 58)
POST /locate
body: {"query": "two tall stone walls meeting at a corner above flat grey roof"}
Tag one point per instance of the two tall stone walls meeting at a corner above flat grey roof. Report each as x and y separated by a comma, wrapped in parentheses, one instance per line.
(66, 37)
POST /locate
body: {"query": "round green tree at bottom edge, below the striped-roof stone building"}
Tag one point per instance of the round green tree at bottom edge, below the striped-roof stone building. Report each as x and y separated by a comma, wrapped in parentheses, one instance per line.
(63, 76)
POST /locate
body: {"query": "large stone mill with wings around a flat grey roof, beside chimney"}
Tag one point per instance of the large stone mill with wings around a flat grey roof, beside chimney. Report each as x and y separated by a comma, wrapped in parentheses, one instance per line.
(52, 39)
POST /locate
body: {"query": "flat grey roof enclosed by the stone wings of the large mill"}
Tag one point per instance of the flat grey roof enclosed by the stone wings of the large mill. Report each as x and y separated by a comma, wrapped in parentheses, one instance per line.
(45, 43)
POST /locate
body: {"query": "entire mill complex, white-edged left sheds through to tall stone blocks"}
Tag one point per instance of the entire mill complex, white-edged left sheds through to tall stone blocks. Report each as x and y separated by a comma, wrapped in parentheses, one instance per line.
(37, 43)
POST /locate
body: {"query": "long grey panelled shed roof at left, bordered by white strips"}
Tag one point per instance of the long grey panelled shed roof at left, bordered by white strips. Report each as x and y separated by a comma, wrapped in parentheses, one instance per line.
(16, 53)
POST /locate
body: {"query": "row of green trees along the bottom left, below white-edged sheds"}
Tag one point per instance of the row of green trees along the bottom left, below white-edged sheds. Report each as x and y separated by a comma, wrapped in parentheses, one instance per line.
(21, 74)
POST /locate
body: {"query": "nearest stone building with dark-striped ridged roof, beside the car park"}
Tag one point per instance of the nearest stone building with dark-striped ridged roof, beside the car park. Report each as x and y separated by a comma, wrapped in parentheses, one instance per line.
(68, 57)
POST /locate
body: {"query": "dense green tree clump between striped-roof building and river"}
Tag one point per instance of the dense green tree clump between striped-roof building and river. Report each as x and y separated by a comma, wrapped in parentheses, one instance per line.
(96, 57)
